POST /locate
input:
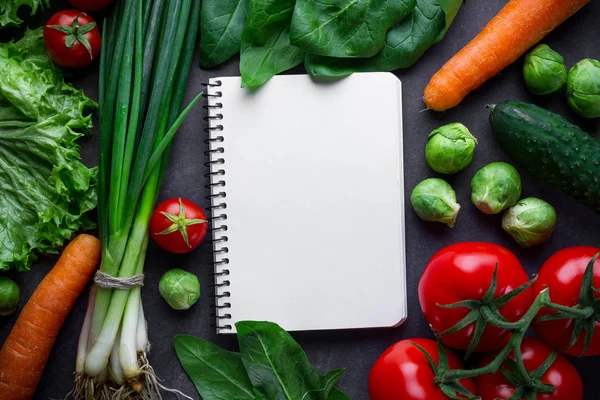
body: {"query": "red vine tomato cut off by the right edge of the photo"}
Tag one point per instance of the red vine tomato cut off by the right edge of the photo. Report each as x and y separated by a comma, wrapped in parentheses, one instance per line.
(563, 274)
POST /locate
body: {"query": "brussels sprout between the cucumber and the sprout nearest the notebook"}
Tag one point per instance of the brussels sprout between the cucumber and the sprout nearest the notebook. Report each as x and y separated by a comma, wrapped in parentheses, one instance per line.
(495, 187)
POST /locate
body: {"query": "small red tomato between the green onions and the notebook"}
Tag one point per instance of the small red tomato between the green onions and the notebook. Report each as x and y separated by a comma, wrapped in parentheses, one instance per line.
(178, 226)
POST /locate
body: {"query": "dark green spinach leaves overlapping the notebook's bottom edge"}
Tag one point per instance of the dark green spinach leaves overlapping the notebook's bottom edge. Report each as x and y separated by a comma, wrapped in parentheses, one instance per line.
(271, 366)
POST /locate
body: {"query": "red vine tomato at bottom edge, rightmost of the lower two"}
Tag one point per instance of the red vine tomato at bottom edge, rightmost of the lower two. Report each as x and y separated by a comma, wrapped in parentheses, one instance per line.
(561, 374)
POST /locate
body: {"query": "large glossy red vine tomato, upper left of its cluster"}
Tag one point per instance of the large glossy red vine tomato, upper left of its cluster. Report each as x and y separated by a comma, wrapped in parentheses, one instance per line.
(464, 271)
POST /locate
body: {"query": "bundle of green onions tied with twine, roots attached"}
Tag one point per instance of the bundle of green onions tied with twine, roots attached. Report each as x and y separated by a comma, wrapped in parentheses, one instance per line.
(146, 57)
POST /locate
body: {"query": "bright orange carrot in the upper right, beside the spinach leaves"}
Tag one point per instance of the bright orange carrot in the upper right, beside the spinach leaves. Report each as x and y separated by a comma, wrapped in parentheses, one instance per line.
(517, 27)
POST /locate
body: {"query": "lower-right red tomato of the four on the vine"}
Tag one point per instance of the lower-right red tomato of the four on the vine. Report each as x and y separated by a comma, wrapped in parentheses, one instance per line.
(561, 374)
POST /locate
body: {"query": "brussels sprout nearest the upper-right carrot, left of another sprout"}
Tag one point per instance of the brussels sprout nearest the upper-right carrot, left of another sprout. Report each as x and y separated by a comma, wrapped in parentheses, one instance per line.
(544, 71)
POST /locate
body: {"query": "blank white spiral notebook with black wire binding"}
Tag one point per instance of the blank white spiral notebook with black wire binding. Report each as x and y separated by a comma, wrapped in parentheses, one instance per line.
(307, 193)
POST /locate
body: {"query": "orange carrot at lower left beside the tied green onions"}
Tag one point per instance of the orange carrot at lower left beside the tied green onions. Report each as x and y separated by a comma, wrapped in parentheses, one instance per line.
(27, 348)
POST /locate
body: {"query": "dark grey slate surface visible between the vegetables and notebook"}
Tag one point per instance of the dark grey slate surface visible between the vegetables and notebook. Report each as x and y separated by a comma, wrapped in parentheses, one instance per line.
(356, 351)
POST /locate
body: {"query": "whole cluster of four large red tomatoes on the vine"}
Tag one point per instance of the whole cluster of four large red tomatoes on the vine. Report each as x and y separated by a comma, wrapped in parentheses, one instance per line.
(462, 273)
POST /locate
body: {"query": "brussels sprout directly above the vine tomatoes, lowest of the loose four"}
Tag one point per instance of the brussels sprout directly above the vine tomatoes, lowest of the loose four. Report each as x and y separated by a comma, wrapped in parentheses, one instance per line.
(530, 222)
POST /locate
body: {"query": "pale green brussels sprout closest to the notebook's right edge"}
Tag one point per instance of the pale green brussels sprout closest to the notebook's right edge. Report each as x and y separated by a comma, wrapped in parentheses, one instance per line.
(434, 200)
